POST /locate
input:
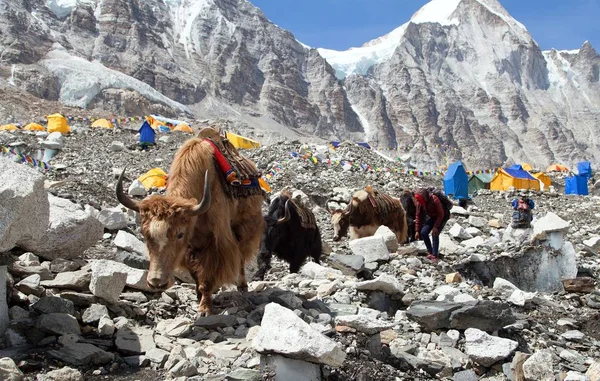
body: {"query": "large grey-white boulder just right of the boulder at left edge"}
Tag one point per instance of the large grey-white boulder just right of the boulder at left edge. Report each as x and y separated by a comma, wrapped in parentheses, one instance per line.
(71, 231)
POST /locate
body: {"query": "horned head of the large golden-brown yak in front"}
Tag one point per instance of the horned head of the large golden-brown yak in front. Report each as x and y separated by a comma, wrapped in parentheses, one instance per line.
(167, 224)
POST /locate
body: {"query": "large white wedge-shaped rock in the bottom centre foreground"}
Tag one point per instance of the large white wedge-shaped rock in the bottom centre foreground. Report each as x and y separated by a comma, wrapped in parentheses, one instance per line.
(285, 333)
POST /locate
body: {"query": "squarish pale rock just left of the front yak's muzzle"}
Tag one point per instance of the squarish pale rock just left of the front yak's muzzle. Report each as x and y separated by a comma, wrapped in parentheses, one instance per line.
(107, 282)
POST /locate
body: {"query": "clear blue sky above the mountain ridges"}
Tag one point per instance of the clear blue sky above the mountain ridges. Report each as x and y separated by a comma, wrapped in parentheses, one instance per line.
(340, 24)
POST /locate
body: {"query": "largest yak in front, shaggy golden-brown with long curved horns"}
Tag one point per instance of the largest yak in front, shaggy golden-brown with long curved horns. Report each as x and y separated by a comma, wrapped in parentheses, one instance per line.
(213, 239)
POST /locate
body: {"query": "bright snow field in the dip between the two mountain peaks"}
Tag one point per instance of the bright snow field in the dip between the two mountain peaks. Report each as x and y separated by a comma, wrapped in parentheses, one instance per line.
(359, 60)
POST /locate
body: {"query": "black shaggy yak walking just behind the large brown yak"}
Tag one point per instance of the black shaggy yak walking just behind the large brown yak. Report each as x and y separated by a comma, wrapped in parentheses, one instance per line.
(291, 233)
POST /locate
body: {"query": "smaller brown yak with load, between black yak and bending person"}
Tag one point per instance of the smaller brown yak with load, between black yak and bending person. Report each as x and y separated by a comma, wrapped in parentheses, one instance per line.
(366, 212)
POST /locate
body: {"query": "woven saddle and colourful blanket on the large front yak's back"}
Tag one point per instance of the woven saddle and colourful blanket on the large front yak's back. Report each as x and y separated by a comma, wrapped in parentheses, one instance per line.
(240, 176)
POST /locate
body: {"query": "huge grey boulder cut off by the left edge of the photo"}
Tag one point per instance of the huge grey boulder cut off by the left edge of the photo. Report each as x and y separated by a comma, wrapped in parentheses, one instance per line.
(24, 210)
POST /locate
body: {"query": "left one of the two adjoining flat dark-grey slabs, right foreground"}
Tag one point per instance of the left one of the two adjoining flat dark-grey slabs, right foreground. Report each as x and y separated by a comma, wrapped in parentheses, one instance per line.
(432, 315)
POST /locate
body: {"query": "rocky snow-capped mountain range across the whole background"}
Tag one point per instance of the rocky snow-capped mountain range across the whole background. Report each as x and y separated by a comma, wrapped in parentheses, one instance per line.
(461, 80)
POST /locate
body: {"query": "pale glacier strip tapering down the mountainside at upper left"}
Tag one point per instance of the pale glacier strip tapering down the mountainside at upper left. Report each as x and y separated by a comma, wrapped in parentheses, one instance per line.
(81, 81)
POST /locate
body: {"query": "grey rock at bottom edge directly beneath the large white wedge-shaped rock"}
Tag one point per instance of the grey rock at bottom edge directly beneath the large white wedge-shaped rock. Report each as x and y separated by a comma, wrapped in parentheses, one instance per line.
(286, 369)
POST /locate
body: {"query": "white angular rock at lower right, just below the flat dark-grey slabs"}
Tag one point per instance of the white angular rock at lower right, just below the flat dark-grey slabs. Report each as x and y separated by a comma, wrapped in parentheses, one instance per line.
(487, 350)
